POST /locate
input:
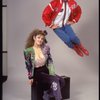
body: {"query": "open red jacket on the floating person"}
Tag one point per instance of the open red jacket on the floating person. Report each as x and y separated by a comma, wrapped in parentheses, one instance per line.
(53, 8)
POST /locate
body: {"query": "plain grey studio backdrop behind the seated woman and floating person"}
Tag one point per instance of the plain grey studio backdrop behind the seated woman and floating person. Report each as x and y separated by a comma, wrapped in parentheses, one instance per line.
(25, 15)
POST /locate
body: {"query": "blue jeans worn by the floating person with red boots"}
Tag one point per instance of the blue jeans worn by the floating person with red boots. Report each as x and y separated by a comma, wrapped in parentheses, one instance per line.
(67, 35)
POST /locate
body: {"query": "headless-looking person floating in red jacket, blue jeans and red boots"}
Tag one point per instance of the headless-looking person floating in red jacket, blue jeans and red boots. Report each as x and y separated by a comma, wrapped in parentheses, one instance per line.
(59, 15)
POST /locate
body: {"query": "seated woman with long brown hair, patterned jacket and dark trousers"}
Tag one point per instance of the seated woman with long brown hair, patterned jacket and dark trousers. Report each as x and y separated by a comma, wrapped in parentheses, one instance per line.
(40, 65)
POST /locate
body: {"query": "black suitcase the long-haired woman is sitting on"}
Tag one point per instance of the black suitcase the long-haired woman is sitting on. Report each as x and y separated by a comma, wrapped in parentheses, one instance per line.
(37, 91)
